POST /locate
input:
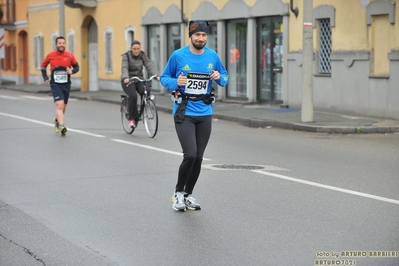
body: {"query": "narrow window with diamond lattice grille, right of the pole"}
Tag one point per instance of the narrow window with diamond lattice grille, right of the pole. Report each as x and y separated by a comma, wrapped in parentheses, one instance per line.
(325, 46)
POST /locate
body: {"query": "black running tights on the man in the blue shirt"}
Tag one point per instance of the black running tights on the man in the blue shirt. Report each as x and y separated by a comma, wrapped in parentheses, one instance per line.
(193, 134)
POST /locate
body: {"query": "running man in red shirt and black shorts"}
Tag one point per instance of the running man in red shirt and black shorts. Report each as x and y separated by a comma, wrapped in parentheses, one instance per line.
(62, 65)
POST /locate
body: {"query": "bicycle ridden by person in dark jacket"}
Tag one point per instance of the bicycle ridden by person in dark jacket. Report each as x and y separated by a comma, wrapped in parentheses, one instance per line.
(147, 110)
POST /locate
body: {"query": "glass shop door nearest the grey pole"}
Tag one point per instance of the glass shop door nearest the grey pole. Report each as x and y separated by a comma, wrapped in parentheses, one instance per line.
(270, 60)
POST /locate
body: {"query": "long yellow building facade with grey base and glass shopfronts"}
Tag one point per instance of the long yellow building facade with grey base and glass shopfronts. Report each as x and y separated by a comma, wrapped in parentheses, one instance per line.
(356, 46)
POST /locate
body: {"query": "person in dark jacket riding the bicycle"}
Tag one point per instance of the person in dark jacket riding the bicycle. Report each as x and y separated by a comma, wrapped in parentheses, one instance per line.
(133, 62)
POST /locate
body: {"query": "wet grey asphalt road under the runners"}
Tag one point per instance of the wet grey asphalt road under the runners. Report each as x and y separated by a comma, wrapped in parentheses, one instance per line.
(269, 197)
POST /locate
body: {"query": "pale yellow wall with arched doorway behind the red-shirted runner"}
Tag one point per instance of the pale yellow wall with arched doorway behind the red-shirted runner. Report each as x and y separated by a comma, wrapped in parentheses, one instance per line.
(112, 14)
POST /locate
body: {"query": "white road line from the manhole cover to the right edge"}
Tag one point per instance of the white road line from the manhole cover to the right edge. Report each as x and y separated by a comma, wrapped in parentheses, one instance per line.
(370, 196)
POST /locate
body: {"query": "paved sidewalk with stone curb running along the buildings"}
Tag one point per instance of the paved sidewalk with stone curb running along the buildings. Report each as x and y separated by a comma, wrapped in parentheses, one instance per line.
(250, 115)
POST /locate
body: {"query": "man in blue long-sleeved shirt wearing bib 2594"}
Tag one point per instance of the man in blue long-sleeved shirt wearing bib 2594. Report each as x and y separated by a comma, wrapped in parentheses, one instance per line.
(189, 72)
